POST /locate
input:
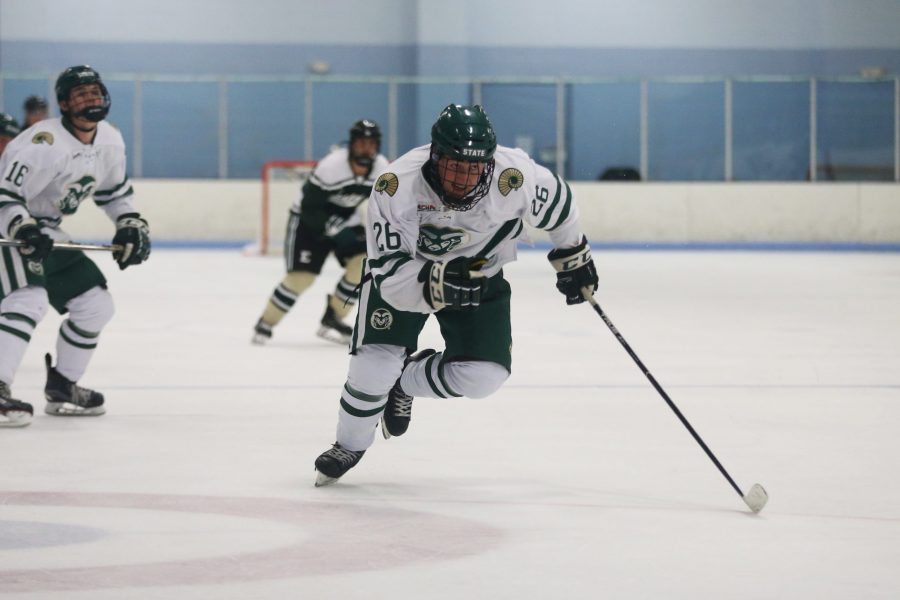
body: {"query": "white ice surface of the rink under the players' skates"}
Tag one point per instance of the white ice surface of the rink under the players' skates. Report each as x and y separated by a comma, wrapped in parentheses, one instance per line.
(573, 481)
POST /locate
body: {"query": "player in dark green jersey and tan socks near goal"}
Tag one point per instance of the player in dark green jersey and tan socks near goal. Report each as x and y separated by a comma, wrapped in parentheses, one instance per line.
(324, 220)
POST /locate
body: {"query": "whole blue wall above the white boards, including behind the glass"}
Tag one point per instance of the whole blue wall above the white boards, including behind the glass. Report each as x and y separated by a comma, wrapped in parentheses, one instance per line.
(177, 120)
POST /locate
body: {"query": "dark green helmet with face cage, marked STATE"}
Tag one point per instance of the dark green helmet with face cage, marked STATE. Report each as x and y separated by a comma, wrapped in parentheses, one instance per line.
(462, 133)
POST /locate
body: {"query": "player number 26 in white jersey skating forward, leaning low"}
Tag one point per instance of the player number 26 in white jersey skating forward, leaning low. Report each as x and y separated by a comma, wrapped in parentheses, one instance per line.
(442, 221)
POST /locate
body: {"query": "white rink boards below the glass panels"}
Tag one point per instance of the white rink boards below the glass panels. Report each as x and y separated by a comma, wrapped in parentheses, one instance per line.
(229, 210)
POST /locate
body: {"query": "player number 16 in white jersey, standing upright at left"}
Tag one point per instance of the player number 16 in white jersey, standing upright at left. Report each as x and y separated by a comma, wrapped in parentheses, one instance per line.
(45, 175)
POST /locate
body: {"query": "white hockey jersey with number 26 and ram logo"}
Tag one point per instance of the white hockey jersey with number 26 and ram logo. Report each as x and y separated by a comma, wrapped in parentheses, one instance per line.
(409, 225)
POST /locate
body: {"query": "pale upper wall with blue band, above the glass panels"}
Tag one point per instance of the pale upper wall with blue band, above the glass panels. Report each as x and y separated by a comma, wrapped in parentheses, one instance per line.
(465, 37)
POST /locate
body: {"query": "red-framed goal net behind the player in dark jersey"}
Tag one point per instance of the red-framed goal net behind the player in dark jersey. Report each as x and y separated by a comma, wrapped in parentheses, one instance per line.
(281, 183)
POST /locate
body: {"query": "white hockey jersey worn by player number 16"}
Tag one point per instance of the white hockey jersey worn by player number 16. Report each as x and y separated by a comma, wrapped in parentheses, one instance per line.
(47, 172)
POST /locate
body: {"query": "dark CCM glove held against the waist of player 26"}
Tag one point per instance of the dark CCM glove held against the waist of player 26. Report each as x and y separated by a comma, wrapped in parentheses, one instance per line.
(456, 285)
